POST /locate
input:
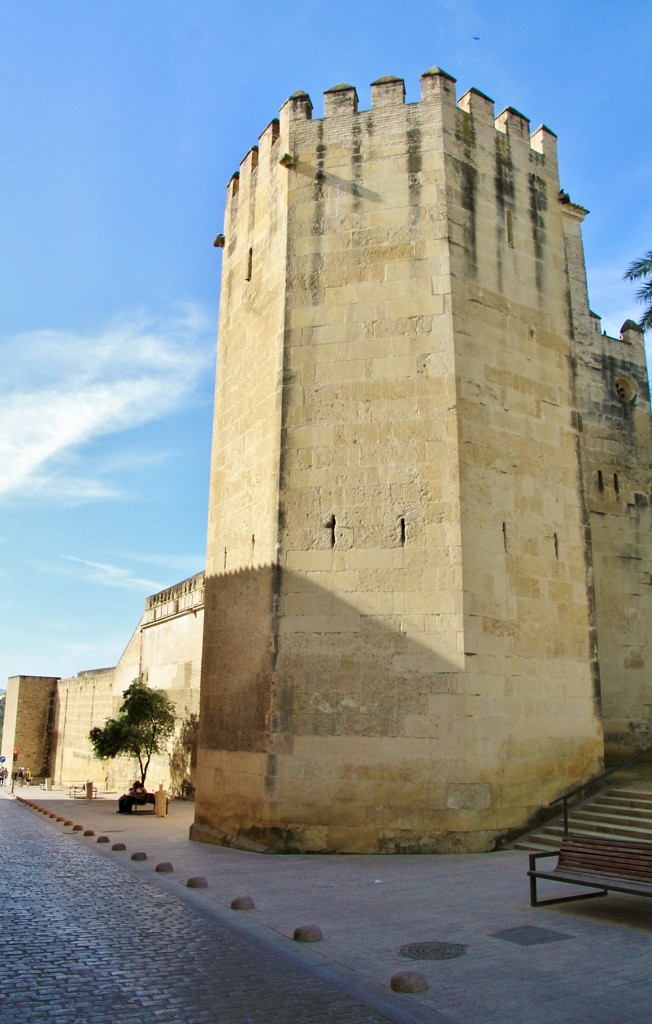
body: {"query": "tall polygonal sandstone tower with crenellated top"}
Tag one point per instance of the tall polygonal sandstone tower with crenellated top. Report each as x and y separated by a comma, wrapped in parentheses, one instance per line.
(401, 639)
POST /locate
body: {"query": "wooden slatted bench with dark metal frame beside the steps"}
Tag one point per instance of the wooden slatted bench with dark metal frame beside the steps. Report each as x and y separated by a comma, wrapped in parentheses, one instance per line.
(608, 866)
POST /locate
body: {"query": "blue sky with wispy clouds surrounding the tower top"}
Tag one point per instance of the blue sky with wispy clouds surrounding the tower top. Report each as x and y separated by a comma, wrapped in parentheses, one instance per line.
(121, 125)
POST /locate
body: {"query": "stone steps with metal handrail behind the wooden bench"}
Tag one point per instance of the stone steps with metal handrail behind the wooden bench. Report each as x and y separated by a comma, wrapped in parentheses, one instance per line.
(625, 813)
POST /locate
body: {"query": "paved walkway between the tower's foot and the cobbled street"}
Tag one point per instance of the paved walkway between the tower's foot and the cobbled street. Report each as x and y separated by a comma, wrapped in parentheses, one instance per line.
(585, 962)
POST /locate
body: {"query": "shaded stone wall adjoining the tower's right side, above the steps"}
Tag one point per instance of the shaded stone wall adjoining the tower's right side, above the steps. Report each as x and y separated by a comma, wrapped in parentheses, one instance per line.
(618, 440)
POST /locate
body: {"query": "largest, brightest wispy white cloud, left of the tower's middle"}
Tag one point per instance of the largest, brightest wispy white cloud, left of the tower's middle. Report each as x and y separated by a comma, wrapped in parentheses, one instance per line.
(61, 392)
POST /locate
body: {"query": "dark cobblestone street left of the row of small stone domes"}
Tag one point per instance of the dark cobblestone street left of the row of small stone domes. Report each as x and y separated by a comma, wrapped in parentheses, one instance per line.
(88, 944)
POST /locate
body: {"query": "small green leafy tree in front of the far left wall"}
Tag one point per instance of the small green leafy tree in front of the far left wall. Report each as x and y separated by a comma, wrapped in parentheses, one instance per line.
(145, 724)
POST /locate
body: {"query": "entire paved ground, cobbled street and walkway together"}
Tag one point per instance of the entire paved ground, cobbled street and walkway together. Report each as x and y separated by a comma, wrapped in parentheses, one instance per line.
(91, 935)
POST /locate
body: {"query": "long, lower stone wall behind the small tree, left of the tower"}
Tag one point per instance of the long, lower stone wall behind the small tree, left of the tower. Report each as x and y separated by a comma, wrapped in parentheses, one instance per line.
(50, 719)
